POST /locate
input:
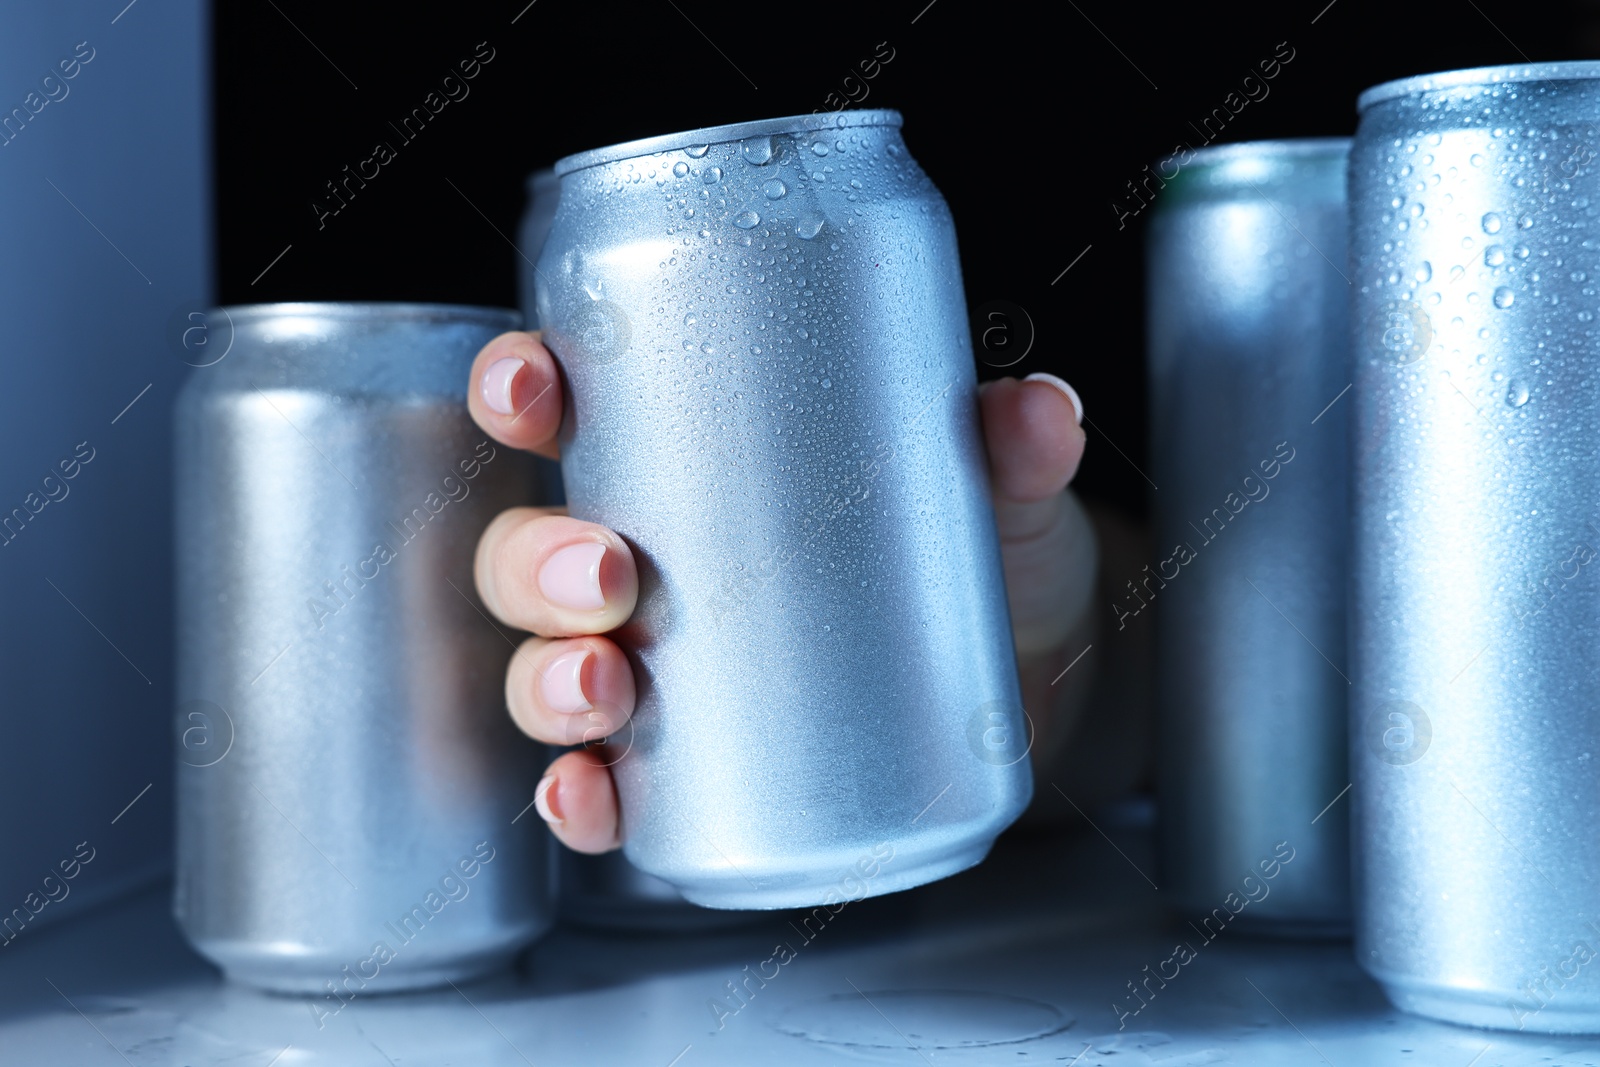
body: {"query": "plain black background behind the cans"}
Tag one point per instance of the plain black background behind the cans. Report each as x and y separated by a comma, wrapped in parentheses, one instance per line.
(1031, 118)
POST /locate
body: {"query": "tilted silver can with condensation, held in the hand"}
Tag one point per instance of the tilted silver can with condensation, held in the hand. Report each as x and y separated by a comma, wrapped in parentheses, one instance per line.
(774, 399)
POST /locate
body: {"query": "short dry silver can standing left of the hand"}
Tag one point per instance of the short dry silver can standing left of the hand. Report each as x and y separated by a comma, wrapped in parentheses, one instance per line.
(348, 773)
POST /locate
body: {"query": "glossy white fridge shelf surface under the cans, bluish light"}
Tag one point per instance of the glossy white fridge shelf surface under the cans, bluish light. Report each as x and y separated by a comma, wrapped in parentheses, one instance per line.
(1017, 964)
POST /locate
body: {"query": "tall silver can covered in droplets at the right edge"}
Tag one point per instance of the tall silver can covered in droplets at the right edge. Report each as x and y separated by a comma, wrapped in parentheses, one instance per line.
(1478, 479)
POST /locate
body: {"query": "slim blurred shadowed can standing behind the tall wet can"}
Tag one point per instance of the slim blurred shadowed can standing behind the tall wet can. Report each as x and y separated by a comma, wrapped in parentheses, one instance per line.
(1249, 354)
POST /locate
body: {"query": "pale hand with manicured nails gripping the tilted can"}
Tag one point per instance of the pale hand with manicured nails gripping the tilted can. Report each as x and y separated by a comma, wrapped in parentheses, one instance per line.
(570, 583)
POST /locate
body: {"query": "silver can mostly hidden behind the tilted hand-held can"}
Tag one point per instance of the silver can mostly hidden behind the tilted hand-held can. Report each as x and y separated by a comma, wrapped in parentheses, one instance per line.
(606, 890)
